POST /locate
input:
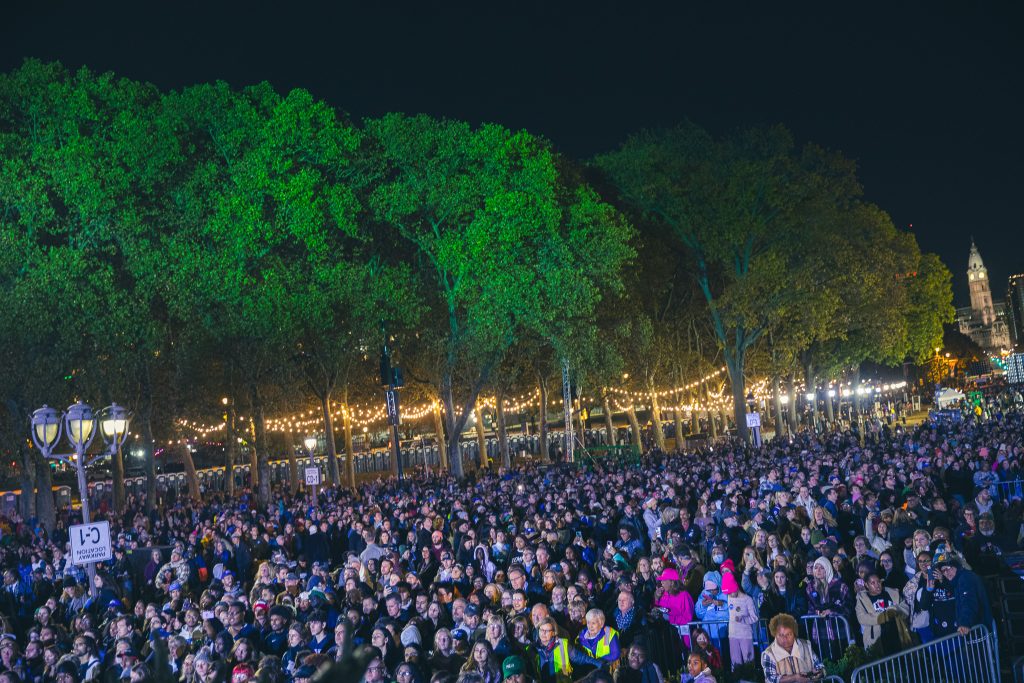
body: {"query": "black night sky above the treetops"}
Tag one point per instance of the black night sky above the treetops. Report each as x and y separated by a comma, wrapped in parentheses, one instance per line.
(927, 99)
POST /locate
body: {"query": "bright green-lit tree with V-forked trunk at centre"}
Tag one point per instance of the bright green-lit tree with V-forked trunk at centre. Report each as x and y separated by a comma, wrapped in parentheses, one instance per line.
(505, 245)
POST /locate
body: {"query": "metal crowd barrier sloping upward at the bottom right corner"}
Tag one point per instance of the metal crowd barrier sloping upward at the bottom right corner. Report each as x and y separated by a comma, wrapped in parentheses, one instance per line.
(969, 659)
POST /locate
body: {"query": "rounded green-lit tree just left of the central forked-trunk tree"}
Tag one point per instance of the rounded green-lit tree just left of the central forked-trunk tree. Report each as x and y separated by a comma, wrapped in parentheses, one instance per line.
(264, 206)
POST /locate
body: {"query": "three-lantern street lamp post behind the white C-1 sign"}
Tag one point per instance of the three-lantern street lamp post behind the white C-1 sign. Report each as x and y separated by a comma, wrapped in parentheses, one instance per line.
(79, 423)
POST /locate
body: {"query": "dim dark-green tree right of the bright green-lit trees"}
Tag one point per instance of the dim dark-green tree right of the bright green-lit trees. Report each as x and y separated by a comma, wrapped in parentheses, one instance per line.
(739, 207)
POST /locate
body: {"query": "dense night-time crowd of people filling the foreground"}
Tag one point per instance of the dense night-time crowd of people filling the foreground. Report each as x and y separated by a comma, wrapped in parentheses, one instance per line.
(684, 567)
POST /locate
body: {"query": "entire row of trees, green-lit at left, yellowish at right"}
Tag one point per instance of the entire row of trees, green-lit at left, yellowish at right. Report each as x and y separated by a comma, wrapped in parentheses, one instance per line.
(166, 249)
